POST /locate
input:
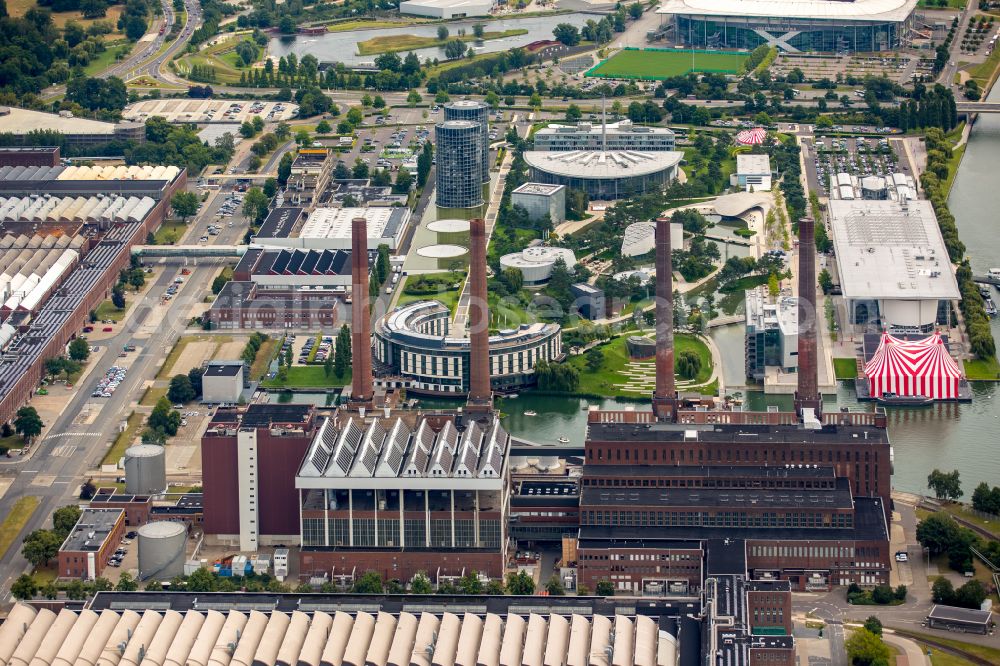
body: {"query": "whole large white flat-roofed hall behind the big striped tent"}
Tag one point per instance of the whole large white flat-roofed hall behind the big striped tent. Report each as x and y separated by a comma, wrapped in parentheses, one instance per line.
(892, 264)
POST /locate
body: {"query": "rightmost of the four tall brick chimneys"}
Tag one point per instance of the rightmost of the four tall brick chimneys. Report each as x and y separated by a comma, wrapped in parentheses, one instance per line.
(807, 392)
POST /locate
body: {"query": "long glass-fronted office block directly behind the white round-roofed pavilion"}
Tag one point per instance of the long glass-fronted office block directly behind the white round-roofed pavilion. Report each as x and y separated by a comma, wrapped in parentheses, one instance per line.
(622, 135)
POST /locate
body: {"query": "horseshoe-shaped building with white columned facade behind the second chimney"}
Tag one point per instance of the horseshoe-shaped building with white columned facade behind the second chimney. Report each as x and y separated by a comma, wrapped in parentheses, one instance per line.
(412, 343)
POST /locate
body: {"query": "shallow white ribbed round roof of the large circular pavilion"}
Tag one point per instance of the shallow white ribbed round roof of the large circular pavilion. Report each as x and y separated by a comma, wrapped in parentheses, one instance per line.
(601, 165)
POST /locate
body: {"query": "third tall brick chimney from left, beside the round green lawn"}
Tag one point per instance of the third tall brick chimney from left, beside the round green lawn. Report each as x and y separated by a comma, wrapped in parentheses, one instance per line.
(665, 394)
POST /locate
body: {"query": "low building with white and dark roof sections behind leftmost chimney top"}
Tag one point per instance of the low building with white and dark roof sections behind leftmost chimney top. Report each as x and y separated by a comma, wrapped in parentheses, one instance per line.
(330, 228)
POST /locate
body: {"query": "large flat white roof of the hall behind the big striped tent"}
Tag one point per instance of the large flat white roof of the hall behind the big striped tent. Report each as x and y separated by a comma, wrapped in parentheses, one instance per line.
(890, 250)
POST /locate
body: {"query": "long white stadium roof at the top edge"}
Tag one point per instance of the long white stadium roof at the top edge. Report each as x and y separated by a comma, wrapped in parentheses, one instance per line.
(859, 10)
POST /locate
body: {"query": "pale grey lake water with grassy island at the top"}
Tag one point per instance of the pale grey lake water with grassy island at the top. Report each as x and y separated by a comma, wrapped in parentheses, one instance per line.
(343, 46)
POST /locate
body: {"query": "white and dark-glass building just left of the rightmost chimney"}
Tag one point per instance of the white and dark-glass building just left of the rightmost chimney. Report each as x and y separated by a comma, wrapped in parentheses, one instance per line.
(772, 330)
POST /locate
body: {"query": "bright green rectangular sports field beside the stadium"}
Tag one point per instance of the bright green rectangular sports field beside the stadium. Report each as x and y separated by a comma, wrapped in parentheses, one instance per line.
(660, 63)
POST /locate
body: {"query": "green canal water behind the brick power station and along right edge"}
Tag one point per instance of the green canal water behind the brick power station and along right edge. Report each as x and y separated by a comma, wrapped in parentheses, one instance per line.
(946, 436)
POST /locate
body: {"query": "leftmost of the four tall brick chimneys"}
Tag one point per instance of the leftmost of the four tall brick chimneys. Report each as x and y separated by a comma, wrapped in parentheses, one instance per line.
(361, 334)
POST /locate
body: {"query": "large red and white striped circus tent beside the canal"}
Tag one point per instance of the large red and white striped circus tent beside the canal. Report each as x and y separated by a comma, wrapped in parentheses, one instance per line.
(913, 368)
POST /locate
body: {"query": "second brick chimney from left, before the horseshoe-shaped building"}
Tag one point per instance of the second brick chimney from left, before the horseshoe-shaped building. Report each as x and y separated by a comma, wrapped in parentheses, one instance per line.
(480, 393)
